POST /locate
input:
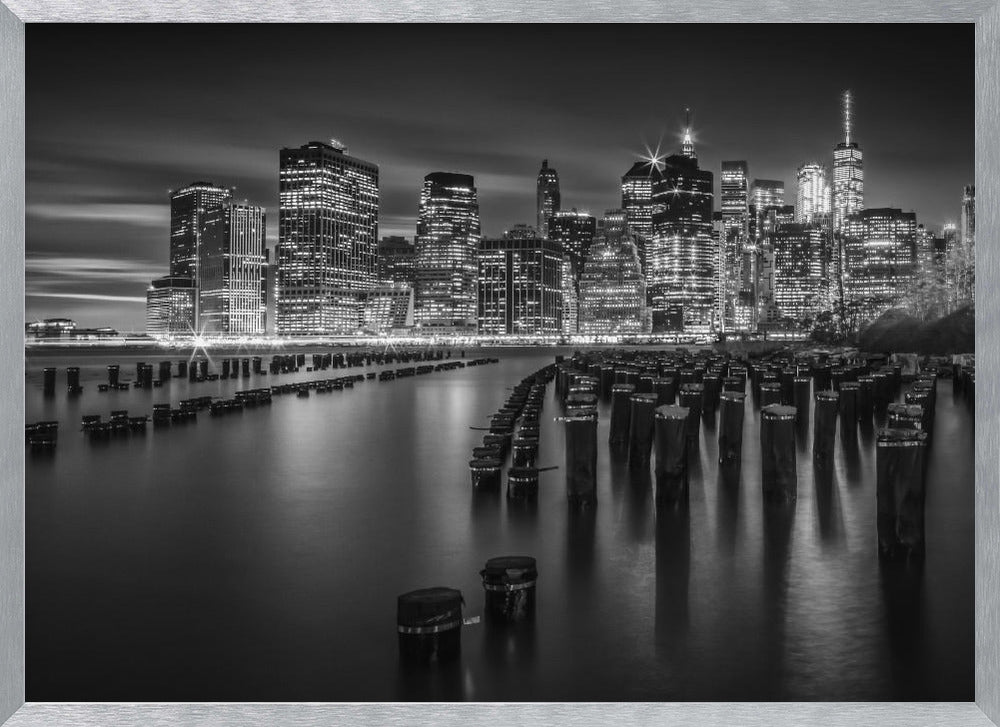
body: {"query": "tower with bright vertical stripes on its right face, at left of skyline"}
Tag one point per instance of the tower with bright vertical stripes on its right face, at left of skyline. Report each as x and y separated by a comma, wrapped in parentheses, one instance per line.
(231, 292)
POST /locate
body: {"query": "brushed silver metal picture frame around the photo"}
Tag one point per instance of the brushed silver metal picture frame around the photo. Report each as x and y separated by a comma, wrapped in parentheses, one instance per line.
(986, 708)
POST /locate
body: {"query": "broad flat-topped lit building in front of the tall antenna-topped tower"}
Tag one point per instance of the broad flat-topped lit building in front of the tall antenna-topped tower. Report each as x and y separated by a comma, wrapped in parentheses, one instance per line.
(879, 260)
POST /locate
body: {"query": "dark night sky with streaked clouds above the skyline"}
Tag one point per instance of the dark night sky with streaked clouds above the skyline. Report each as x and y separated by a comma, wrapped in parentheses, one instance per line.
(119, 115)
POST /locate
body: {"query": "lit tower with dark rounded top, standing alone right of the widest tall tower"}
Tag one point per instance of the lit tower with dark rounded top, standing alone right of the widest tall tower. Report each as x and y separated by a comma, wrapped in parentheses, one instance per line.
(448, 234)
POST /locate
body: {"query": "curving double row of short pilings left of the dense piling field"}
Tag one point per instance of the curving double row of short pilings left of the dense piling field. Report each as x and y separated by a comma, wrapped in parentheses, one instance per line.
(514, 430)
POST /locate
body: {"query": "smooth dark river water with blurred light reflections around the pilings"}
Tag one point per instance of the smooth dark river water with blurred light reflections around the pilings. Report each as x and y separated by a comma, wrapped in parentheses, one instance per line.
(258, 556)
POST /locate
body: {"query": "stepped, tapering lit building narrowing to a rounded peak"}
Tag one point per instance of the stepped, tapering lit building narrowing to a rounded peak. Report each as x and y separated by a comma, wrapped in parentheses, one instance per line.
(612, 289)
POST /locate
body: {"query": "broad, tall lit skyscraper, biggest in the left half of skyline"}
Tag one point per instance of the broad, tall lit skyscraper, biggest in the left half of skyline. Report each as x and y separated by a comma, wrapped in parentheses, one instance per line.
(327, 239)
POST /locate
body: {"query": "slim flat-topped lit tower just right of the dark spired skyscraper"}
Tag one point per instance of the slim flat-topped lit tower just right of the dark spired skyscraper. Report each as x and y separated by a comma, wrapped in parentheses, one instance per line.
(736, 300)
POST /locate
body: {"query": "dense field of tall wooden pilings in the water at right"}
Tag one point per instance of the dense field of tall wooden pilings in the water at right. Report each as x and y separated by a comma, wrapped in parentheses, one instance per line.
(659, 401)
